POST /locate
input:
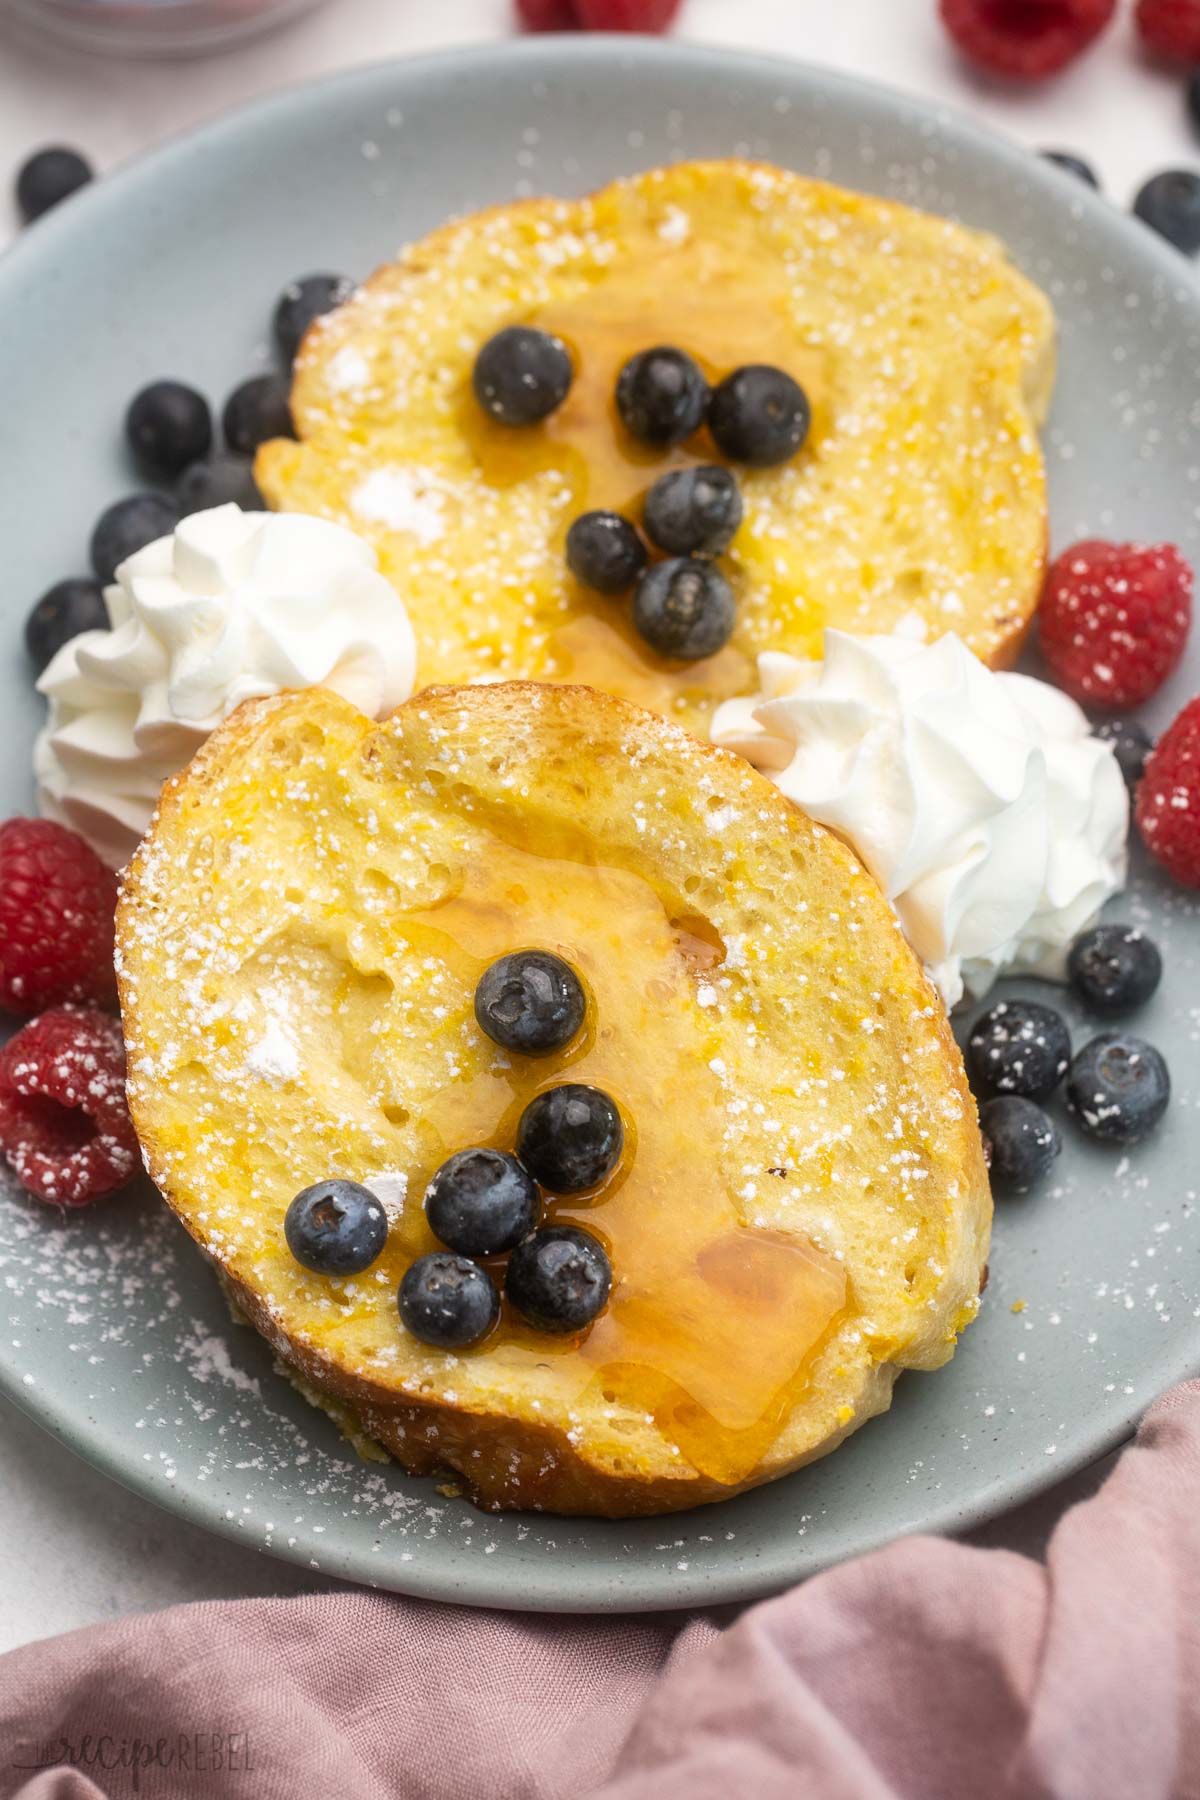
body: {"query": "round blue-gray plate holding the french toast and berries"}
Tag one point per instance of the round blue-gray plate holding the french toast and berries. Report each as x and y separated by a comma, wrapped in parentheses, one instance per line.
(118, 1340)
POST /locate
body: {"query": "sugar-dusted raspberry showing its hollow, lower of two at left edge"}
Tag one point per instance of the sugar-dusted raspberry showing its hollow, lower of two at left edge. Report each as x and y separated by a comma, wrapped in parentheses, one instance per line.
(66, 1128)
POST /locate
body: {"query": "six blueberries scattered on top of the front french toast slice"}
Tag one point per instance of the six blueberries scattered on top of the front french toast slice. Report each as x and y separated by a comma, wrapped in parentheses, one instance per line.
(485, 1203)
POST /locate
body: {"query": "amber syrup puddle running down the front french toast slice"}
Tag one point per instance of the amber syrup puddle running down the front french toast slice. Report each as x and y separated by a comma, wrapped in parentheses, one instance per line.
(712, 1326)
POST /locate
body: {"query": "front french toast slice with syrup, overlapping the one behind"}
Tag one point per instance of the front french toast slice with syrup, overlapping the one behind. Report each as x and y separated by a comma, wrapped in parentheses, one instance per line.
(803, 1207)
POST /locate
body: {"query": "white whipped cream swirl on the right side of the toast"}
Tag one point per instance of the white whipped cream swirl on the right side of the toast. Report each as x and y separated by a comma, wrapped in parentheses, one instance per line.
(990, 816)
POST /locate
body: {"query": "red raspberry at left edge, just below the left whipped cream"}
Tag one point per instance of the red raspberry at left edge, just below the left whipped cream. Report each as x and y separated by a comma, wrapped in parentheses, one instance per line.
(57, 919)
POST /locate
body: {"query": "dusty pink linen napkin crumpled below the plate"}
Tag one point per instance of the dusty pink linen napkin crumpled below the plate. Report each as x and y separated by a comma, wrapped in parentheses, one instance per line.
(927, 1671)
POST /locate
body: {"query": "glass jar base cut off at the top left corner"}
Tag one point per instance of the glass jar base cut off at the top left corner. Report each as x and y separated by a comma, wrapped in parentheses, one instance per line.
(152, 28)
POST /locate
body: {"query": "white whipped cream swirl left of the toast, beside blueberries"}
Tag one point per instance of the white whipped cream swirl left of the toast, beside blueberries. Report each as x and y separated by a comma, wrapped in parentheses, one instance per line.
(229, 607)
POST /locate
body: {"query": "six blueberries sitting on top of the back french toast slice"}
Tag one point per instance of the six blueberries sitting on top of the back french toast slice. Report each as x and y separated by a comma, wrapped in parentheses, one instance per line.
(683, 606)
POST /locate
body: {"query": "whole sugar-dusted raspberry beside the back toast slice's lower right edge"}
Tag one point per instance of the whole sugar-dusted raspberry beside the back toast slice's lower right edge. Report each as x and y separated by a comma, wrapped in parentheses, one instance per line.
(1115, 620)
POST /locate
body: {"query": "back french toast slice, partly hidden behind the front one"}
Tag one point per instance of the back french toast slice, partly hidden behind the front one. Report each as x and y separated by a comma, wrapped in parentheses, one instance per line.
(920, 494)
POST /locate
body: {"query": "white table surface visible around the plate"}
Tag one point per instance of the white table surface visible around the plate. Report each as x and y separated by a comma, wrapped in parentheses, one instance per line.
(78, 1549)
